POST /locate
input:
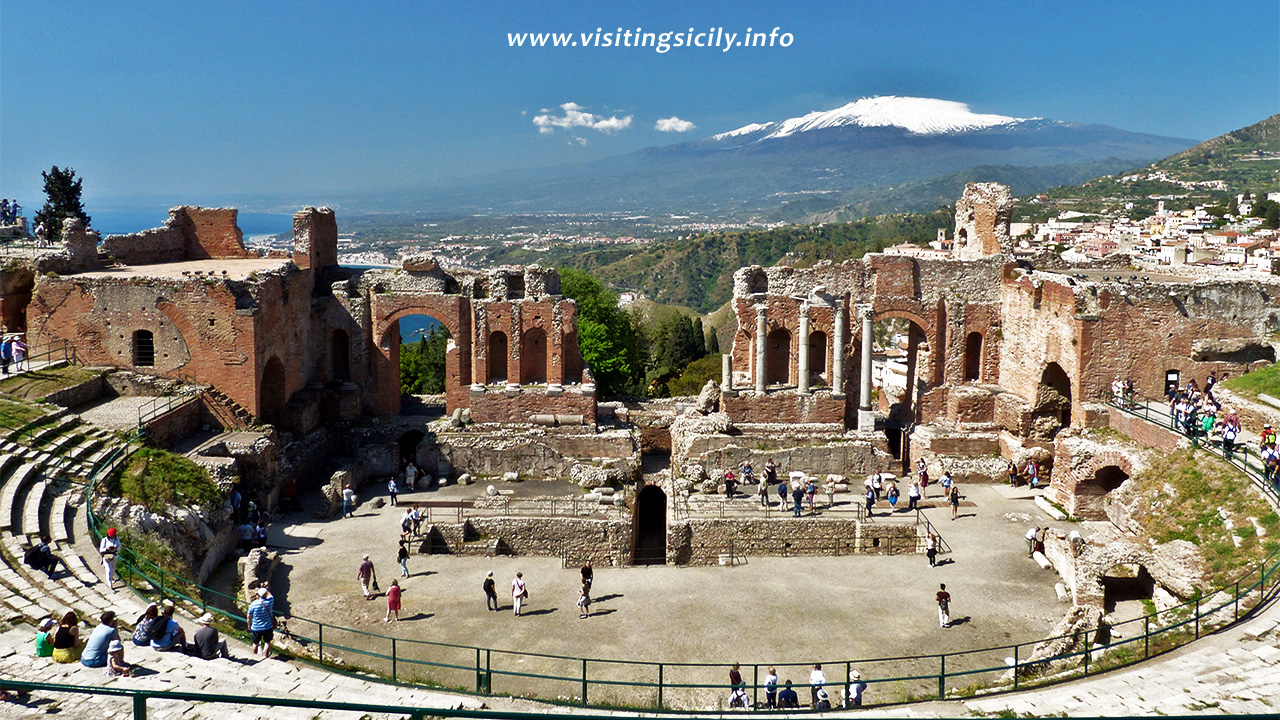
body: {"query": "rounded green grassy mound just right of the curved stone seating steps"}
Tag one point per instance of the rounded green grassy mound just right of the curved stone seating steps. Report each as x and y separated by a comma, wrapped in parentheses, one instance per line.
(158, 479)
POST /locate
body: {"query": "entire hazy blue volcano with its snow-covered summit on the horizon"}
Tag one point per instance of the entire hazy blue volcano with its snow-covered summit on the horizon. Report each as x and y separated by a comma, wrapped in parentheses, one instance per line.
(885, 154)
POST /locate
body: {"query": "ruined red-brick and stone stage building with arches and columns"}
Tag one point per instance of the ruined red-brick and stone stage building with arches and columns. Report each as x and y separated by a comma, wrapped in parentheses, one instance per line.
(1002, 354)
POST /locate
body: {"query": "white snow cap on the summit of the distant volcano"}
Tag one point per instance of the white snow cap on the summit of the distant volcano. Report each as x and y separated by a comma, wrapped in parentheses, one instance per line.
(920, 116)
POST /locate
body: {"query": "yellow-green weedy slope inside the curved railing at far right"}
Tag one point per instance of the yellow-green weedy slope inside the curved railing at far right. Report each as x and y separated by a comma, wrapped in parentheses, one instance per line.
(1185, 495)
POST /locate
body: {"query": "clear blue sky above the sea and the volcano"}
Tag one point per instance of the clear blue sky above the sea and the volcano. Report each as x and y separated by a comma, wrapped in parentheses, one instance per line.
(207, 102)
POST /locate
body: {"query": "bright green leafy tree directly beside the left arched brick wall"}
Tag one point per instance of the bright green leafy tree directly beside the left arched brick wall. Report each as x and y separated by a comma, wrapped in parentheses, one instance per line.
(607, 336)
